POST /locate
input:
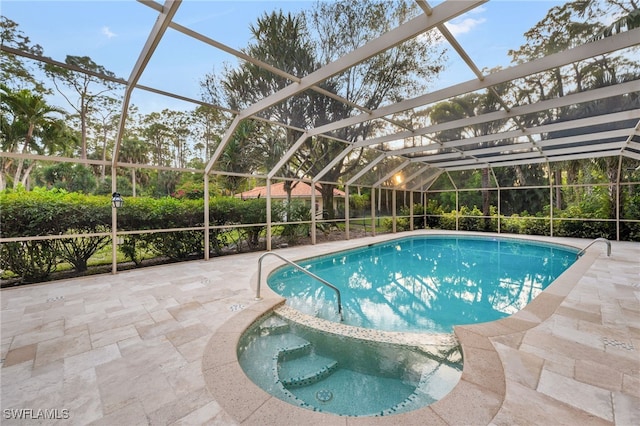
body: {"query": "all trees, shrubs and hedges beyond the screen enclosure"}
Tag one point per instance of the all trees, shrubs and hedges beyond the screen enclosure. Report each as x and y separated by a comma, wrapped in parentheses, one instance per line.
(297, 44)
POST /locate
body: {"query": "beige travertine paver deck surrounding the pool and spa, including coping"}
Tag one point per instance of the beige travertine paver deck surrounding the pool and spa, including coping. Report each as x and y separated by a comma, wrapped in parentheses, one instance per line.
(140, 347)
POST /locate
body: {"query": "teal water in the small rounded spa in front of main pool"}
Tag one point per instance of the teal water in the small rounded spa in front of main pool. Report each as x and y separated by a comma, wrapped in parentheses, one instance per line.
(342, 375)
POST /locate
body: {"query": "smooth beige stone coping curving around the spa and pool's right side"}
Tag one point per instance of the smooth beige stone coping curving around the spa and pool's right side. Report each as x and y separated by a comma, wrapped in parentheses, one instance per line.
(478, 395)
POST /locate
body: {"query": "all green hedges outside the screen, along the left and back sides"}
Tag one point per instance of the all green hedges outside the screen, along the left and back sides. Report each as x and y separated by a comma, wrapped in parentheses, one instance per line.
(56, 212)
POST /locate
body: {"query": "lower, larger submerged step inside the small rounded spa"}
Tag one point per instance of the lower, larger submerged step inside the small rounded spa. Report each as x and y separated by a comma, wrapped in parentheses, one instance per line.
(305, 370)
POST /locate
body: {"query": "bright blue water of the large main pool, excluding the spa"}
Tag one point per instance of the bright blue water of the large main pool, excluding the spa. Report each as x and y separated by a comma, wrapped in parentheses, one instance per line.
(426, 283)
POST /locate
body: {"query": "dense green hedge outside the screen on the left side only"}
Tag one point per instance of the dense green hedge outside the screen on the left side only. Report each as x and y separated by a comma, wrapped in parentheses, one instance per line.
(56, 212)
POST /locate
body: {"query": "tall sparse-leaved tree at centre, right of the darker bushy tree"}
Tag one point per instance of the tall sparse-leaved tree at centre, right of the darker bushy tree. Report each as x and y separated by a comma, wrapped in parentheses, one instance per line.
(403, 71)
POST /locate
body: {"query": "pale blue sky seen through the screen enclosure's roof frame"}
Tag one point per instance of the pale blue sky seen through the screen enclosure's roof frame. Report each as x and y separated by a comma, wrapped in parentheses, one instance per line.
(112, 33)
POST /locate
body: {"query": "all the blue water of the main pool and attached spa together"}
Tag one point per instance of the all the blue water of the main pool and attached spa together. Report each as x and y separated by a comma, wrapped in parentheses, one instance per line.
(423, 285)
